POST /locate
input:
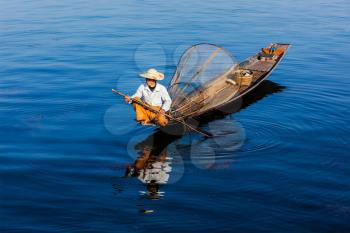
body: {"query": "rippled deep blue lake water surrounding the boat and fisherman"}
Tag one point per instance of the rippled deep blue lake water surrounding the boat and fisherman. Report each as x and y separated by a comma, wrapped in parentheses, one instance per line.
(280, 164)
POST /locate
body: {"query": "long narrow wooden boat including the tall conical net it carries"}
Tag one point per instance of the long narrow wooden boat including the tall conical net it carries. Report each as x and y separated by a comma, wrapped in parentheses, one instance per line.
(208, 78)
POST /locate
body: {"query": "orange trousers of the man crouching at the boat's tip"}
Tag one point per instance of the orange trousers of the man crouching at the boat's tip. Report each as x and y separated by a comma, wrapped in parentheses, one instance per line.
(146, 116)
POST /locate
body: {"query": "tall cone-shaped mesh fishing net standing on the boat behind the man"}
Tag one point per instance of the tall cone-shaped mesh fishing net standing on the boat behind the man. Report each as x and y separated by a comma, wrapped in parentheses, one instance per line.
(198, 66)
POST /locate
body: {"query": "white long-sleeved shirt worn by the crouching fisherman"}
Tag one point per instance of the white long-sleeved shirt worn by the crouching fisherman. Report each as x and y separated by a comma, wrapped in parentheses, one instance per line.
(158, 97)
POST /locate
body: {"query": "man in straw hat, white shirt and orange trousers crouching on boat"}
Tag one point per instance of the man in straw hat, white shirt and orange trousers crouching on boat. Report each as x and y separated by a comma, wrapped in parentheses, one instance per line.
(153, 94)
